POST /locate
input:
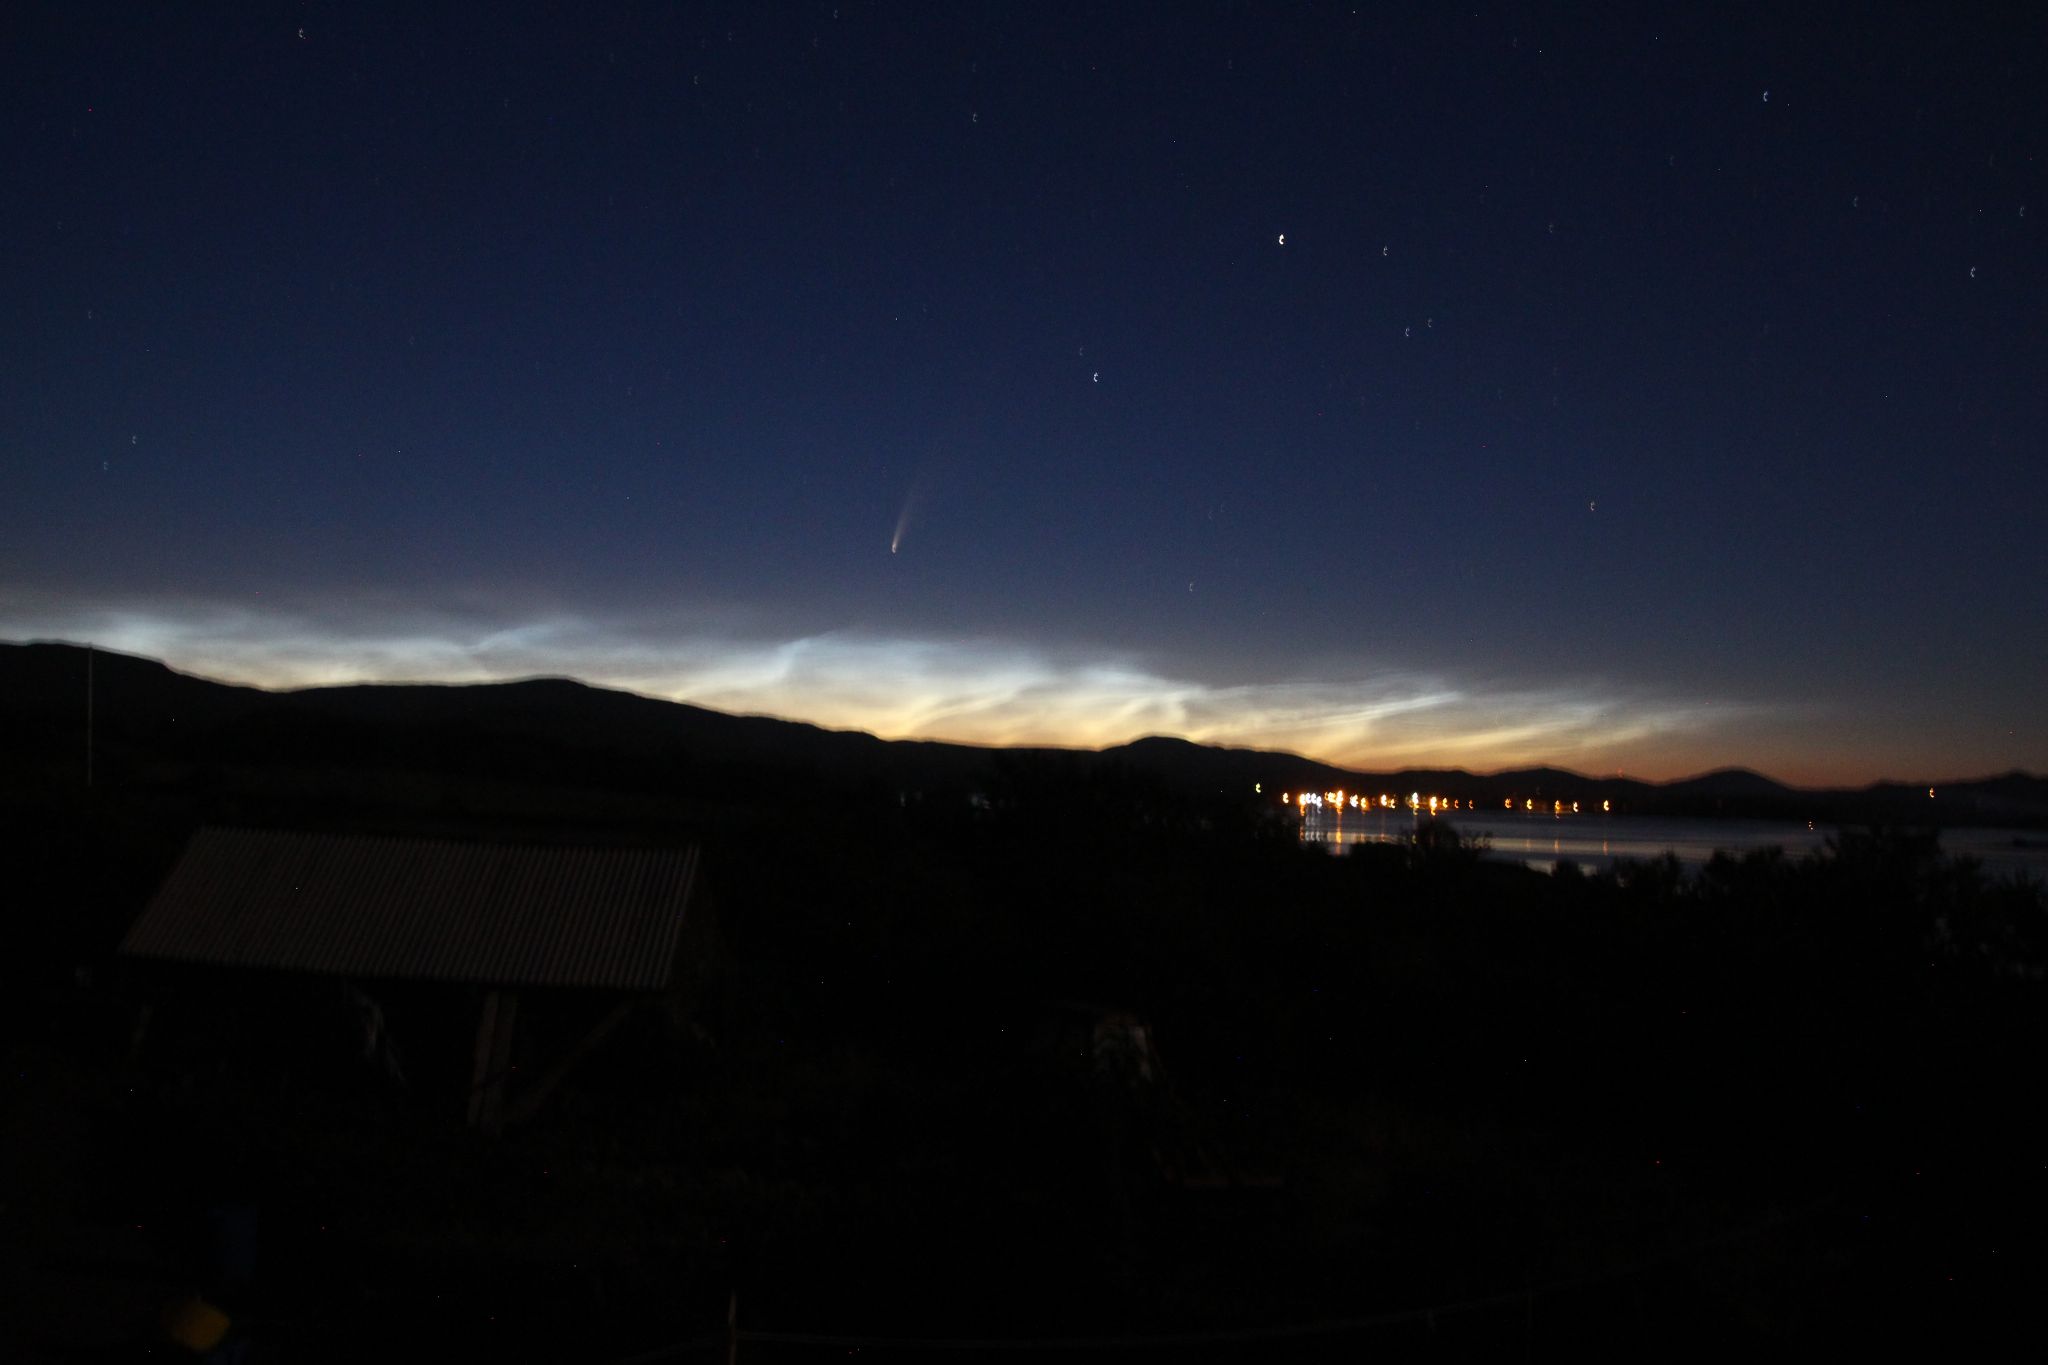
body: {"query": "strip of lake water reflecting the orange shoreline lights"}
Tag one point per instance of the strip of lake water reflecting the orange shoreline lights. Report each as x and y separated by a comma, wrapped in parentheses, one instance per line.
(1596, 842)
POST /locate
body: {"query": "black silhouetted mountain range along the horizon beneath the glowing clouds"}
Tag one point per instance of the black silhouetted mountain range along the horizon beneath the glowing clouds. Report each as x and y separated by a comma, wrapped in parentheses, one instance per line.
(148, 717)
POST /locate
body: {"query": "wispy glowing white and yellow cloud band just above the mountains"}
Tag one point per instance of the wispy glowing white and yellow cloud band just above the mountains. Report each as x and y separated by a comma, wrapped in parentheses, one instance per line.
(974, 691)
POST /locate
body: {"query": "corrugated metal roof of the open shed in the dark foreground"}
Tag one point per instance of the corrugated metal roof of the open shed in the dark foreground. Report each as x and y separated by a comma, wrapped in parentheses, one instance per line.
(423, 910)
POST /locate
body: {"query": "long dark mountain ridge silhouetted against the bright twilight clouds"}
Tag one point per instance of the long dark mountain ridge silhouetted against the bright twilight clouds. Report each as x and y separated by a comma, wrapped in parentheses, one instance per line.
(142, 705)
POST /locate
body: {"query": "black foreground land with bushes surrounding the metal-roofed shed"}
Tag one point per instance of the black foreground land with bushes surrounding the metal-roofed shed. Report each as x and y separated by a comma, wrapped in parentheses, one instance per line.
(1070, 1063)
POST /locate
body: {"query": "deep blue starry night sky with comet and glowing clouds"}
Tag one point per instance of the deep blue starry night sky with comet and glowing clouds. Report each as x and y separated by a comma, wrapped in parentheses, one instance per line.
(1482, 388)
